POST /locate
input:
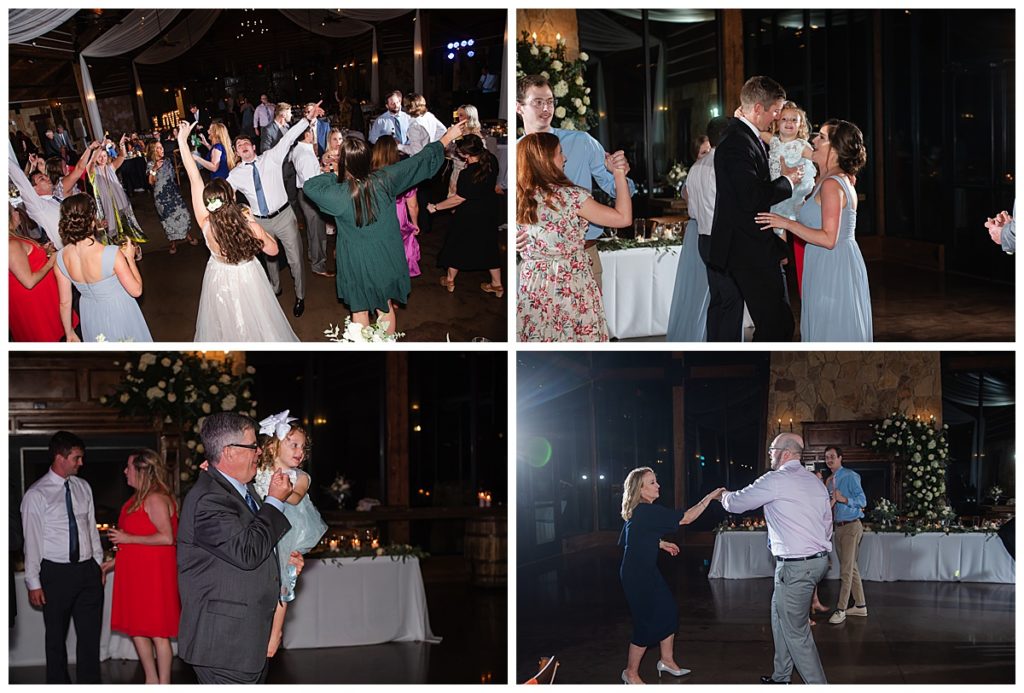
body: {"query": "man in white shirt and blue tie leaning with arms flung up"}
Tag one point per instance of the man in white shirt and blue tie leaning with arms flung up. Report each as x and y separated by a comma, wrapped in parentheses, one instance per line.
(262, 181)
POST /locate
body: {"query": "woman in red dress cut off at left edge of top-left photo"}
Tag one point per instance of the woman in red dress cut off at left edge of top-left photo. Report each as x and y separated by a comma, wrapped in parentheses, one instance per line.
(33, 304)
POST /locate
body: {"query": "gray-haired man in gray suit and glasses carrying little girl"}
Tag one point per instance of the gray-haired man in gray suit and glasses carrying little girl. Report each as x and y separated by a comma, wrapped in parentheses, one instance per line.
(228, 565)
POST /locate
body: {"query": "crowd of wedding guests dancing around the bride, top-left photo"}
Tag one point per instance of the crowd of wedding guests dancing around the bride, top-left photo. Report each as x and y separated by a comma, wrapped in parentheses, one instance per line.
(251, 193)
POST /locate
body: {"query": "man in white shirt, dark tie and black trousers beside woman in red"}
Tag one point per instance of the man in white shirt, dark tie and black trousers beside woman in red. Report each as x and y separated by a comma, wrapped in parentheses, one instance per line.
(63, 558)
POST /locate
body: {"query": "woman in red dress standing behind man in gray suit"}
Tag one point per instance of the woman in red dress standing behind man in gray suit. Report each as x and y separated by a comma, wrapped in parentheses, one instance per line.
(146, 592)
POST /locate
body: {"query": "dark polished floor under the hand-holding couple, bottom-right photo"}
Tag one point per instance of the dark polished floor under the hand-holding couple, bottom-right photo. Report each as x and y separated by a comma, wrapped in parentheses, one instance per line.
(573, 608)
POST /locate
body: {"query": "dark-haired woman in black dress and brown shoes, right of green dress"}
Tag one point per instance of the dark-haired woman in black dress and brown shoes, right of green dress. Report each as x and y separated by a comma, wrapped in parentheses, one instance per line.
(473, 242)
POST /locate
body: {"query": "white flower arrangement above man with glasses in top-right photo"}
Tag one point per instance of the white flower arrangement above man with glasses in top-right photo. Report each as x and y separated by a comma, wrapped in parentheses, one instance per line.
(573, 108)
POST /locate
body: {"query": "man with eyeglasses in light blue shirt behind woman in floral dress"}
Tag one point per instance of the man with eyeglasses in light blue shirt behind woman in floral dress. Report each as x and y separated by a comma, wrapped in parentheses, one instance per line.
(584, 155)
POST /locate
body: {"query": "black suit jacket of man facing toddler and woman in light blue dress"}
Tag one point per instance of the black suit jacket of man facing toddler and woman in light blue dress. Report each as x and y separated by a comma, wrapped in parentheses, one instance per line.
(744, 189)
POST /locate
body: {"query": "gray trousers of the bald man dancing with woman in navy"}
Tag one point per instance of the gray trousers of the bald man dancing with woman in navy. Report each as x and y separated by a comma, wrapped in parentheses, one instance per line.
(795, 583)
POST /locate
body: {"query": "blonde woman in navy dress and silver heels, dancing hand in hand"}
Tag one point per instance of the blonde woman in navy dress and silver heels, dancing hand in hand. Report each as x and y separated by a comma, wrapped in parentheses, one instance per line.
(656, 616)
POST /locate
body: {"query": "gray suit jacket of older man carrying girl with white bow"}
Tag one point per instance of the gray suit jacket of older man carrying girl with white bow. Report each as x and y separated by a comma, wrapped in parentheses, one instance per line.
(228, 577)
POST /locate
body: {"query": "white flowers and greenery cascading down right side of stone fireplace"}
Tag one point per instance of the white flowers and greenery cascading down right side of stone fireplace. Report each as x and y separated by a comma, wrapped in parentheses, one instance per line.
(922, 448)
